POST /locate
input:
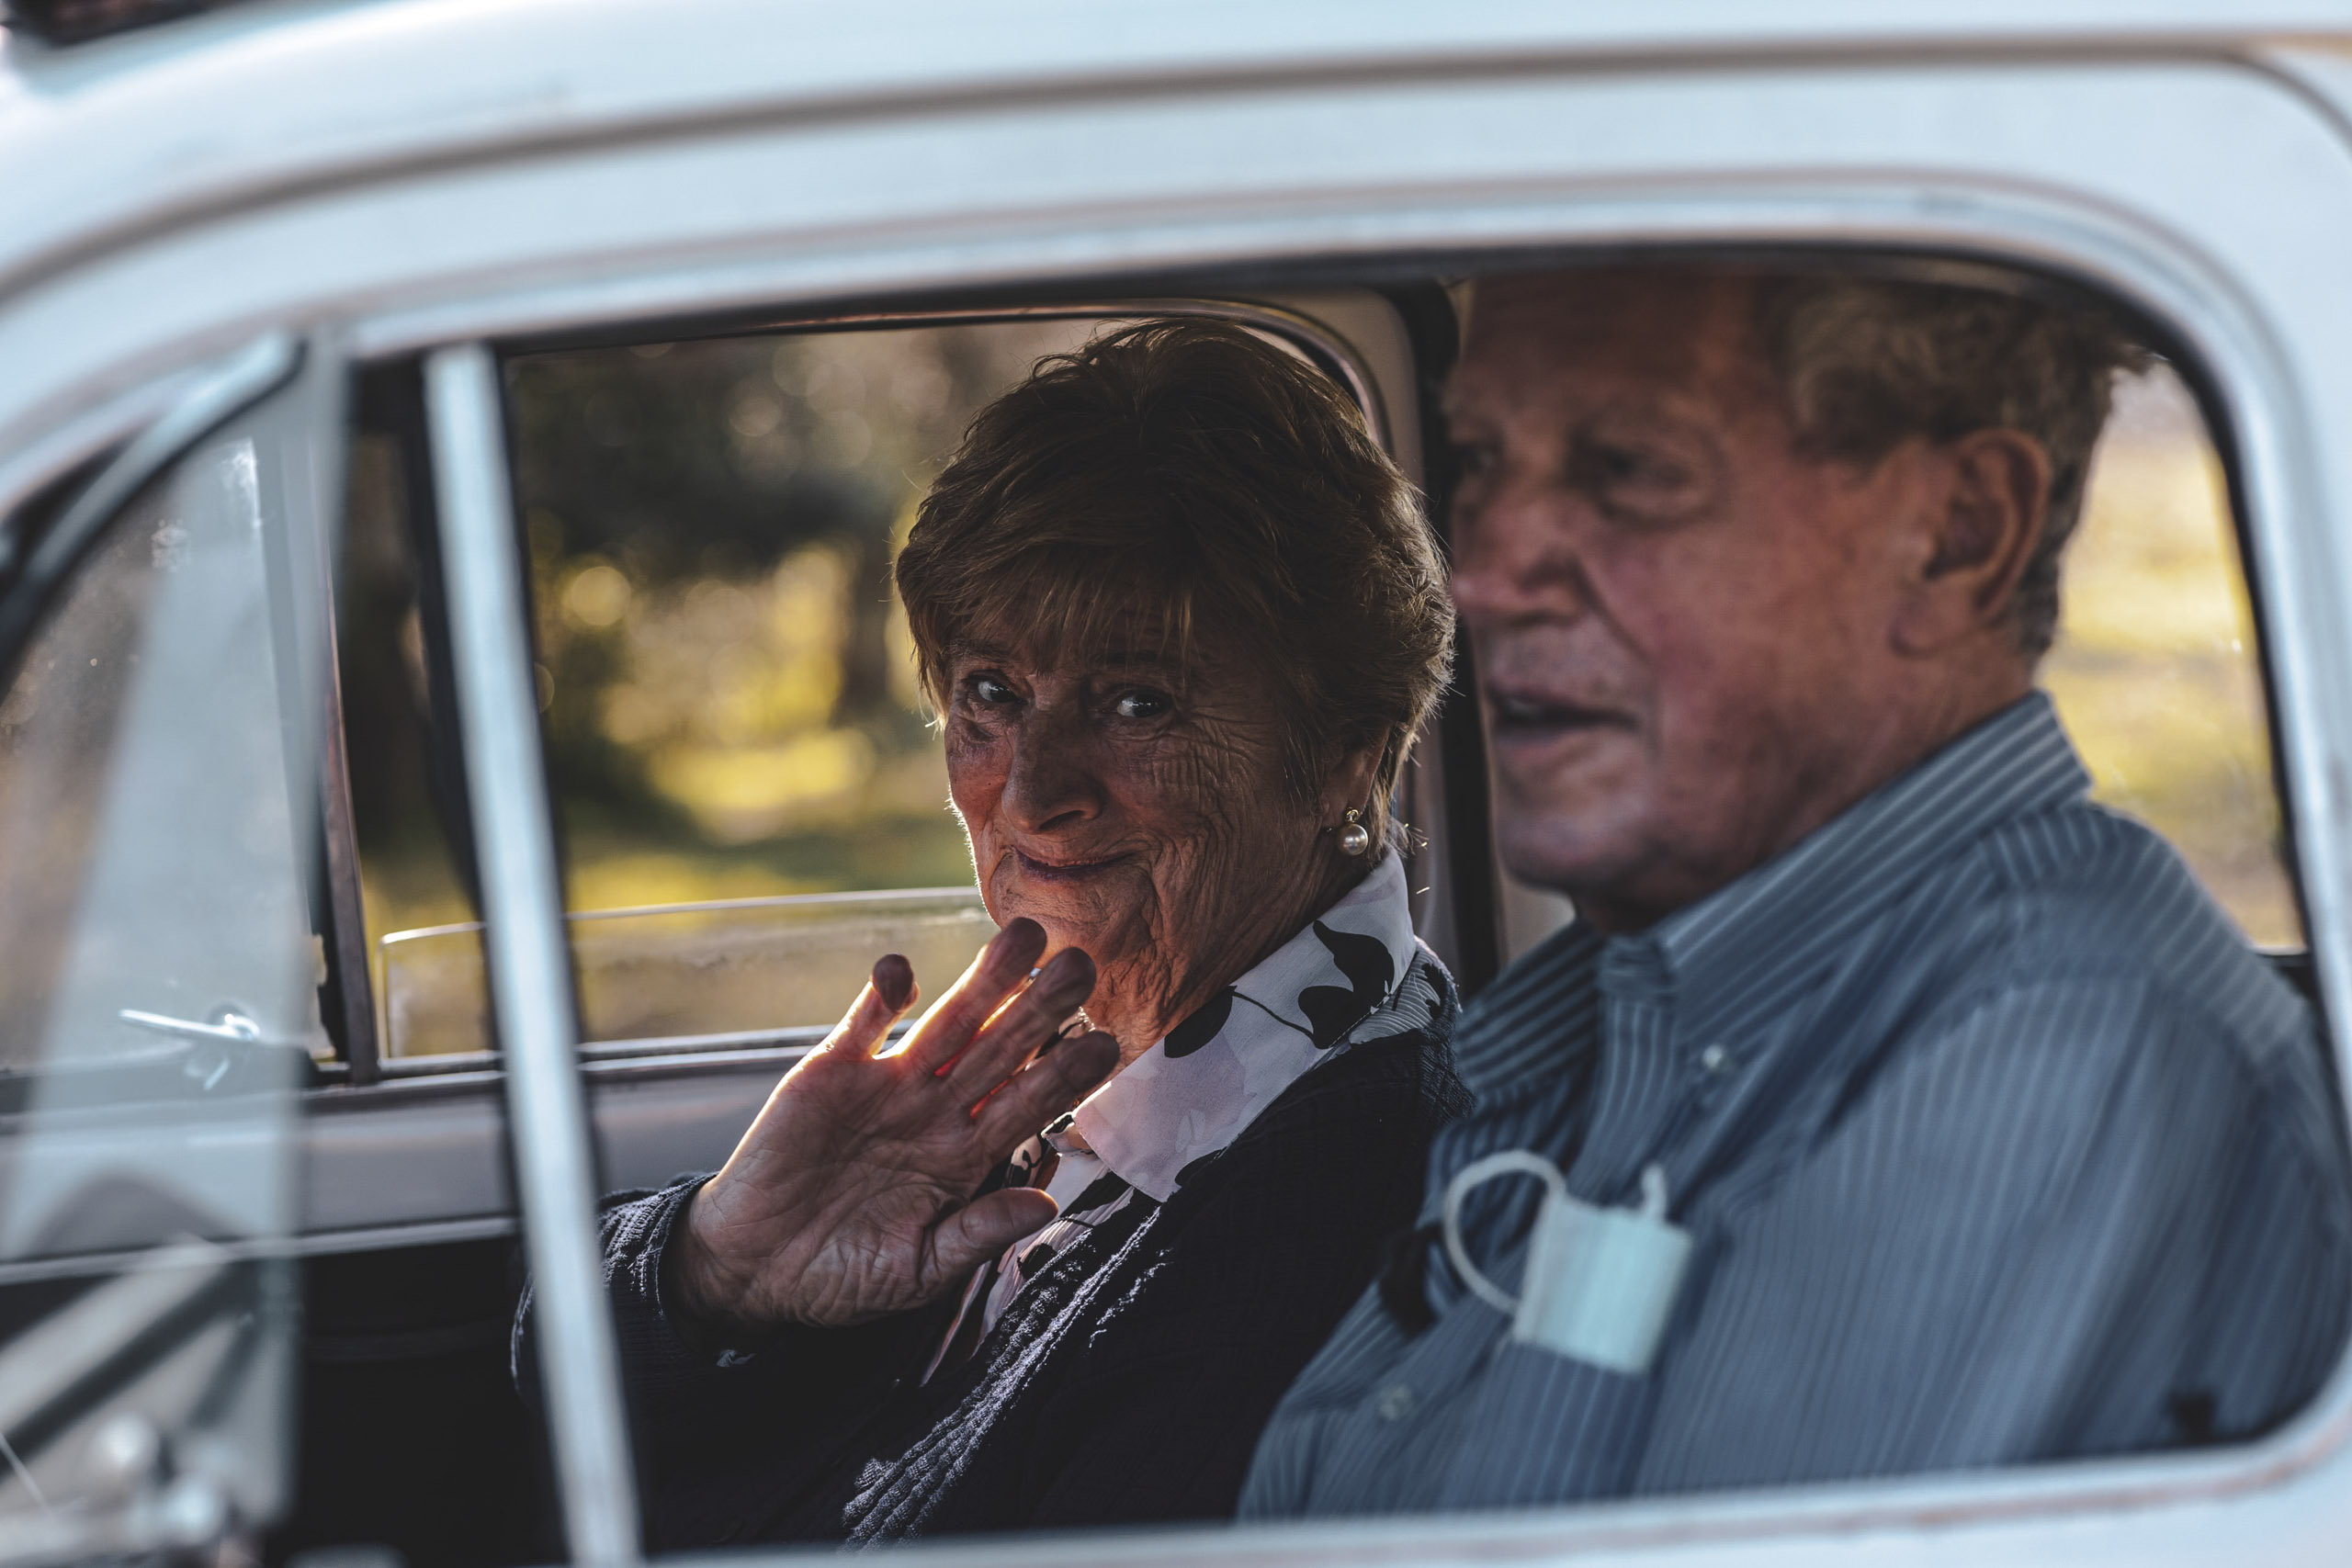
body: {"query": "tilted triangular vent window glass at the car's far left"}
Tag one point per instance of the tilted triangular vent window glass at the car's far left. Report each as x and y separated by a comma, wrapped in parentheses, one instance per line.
(159, 998)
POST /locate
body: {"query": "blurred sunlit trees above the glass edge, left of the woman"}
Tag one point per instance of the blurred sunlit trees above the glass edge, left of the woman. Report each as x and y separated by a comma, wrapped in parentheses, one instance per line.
(723, 666)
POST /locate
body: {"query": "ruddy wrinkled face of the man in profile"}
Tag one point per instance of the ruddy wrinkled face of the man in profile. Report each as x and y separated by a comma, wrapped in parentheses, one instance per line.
(1678, 617)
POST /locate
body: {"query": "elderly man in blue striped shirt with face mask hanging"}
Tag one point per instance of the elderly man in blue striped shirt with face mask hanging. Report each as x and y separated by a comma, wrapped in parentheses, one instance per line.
(1911, 1111)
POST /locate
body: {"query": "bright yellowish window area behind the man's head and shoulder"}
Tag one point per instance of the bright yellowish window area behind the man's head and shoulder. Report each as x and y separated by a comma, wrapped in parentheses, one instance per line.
(2158, 671)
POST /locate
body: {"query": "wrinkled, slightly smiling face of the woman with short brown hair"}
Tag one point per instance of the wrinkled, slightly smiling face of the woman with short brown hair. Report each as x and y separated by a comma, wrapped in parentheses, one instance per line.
(1137, 812)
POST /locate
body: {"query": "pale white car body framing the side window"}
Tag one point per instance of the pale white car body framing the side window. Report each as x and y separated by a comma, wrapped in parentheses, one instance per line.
(408, 175)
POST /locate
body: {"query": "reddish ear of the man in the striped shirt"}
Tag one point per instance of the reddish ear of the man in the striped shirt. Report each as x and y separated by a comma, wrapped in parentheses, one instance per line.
(1982, 528)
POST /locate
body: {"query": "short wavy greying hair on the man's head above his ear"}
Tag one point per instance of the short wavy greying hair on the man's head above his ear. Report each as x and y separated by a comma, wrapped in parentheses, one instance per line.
(1873, 363)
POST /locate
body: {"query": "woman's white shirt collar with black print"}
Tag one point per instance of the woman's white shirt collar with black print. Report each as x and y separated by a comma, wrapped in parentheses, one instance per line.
(1194, 1092)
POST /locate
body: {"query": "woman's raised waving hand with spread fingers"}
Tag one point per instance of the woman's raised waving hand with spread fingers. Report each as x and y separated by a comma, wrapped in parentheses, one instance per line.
(850, 1195)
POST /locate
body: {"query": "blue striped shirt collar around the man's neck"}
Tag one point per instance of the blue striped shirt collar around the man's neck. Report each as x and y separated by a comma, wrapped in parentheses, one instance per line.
(1793, 911)
